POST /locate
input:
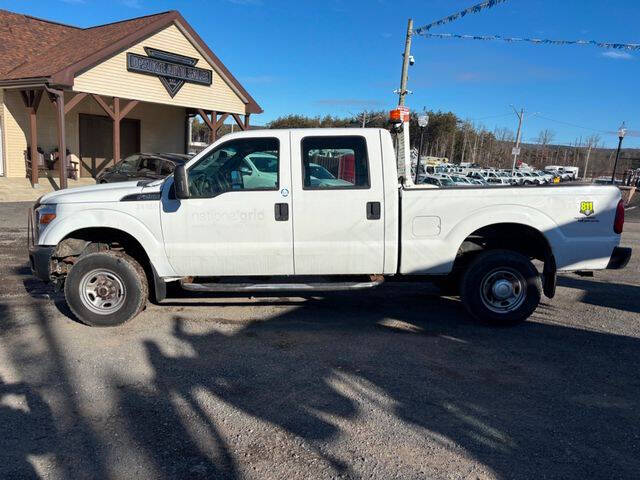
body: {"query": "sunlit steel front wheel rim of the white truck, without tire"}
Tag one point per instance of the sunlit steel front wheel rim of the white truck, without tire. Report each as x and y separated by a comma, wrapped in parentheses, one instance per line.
(102, 291)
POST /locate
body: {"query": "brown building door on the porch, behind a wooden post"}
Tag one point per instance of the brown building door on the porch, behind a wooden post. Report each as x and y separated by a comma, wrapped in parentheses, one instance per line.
(96, 142)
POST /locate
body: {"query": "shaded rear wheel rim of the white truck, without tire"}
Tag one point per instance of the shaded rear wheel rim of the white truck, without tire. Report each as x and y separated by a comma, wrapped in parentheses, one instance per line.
(503, 290)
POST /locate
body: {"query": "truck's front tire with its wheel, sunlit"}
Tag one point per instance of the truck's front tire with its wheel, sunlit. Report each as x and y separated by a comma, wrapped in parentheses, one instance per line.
(117, 277)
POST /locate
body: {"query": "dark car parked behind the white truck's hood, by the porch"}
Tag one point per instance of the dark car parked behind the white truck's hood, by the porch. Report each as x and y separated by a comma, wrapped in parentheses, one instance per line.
(143, 166)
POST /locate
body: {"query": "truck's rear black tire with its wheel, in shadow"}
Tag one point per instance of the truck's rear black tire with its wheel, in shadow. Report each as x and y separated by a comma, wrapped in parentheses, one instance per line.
(495, 273)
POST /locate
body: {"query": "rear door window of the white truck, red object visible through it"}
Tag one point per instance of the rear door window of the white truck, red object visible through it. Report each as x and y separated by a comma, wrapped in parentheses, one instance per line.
(334, 163)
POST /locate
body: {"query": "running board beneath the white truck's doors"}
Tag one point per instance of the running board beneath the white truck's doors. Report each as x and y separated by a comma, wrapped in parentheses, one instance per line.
(280, 287)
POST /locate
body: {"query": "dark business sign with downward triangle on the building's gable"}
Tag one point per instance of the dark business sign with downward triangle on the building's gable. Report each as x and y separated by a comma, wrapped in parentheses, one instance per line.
(172, 69)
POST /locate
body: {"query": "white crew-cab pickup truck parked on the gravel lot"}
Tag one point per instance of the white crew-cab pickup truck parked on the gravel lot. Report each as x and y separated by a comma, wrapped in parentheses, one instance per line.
(326, 213)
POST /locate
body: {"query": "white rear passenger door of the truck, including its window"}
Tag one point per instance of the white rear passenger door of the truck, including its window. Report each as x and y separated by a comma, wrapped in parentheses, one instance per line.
(338, 202)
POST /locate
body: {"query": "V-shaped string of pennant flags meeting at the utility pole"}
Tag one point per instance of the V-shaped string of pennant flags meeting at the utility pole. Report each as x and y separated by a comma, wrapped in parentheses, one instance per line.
(425, 31)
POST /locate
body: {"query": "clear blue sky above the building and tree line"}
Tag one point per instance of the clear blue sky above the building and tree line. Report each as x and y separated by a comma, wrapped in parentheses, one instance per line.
(342, 56)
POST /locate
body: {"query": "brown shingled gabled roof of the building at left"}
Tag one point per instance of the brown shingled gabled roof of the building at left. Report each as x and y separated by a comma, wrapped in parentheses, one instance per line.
(32, 48)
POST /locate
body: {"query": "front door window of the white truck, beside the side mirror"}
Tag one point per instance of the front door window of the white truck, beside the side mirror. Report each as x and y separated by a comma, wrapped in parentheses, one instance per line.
(243, 164)
